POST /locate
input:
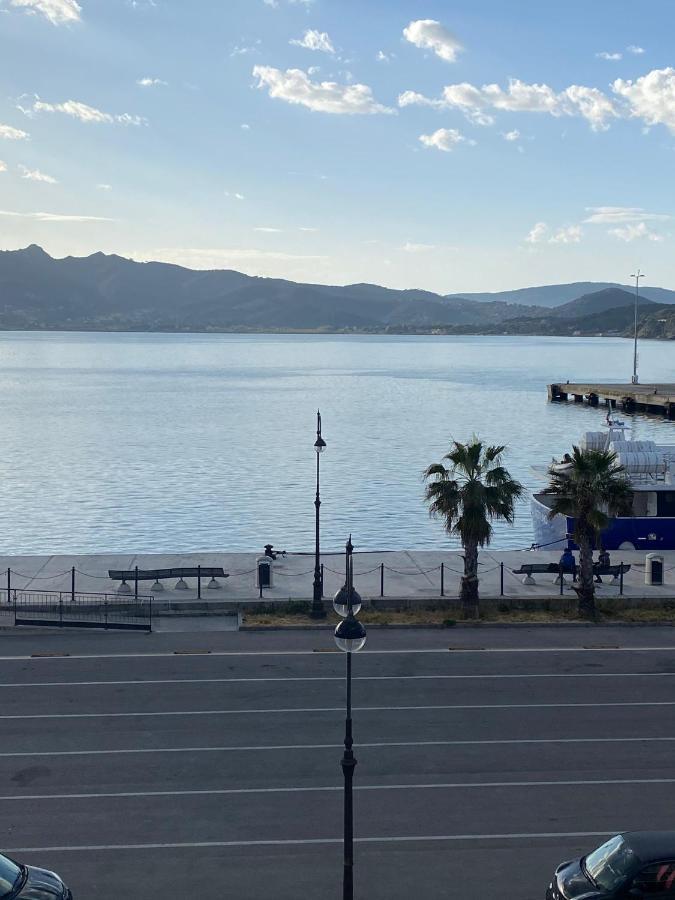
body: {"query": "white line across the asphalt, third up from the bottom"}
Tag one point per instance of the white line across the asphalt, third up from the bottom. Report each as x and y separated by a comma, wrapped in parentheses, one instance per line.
(365, 745)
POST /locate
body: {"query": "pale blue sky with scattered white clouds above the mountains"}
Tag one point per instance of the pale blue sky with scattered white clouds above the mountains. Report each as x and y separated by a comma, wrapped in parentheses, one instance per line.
(476, 145)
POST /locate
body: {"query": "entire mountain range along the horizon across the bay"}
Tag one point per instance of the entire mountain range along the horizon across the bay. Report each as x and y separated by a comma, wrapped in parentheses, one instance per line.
(110, 293)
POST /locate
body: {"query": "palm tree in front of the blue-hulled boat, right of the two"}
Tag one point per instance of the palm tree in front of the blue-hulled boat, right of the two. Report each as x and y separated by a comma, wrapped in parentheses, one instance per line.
(591, 490)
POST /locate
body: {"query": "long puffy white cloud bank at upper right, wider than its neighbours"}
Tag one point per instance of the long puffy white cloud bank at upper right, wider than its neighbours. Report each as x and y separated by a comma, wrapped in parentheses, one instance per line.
(519, 96)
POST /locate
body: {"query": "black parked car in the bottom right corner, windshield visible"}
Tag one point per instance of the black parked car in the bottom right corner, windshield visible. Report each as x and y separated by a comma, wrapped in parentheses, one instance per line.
(626, 867)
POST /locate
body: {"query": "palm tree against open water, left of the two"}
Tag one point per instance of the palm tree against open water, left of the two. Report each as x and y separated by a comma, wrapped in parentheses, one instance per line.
(469, 494)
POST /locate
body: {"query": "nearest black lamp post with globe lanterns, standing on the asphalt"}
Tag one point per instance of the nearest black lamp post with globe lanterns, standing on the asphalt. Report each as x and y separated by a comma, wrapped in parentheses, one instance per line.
(350, 636)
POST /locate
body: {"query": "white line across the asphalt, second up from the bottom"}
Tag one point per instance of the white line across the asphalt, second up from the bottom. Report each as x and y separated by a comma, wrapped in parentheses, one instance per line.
(471, 785)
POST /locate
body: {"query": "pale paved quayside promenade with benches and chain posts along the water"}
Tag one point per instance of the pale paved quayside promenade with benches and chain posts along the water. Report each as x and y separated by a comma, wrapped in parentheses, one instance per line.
(405, 574)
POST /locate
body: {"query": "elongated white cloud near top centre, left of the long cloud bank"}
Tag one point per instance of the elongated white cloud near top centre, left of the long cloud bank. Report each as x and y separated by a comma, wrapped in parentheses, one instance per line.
(294, 86)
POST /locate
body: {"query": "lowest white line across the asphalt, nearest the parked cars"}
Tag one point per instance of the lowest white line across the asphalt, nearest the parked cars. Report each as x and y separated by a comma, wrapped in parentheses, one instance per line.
(285, 842)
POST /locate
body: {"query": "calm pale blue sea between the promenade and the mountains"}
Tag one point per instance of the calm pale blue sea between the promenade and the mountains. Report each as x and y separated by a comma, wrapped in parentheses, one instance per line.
(152, 442)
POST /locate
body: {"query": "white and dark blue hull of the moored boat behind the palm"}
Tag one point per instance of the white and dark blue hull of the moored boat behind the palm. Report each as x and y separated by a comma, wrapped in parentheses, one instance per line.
(623, 533)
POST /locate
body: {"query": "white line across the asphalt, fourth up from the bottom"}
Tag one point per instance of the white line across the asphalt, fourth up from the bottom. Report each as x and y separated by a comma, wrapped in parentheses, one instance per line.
(321, 709)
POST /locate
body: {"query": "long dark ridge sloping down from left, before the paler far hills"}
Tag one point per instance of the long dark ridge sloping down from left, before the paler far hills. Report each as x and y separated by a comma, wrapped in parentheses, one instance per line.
(108, 292)
